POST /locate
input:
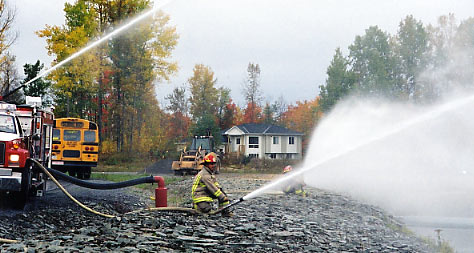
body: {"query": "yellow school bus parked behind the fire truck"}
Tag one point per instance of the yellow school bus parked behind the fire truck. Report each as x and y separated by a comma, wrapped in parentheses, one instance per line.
(75, 146)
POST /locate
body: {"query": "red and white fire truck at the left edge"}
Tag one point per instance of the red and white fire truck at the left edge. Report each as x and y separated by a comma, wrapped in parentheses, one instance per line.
(25, 132)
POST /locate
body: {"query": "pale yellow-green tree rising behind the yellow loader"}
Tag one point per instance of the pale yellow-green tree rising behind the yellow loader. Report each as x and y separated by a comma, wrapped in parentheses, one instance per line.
(204, 95)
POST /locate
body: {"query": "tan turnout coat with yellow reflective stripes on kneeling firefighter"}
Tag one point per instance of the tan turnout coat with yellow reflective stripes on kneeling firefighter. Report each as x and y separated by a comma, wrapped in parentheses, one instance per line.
(206, 188)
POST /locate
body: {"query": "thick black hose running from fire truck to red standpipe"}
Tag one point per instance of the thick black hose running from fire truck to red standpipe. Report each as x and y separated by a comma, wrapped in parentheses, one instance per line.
(101, 186)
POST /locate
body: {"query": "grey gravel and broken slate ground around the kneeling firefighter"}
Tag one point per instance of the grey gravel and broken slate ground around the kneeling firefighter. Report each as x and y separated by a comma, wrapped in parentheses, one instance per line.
(322, 222)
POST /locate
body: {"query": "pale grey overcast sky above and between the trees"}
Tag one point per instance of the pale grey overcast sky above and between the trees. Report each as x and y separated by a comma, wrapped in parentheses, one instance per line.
(293, 41)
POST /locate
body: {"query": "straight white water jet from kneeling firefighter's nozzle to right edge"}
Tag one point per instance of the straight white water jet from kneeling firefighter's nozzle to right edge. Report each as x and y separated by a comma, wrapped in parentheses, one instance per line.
(432, 114)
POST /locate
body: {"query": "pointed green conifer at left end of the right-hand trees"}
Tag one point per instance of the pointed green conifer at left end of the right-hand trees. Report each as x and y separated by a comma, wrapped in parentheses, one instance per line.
(339, 82)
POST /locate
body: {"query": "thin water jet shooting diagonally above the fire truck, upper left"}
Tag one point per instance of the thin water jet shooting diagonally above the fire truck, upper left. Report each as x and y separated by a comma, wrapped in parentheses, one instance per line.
(122, 28)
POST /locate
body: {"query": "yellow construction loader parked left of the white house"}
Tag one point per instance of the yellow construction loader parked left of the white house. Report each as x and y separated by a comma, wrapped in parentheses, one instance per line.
(190, 159)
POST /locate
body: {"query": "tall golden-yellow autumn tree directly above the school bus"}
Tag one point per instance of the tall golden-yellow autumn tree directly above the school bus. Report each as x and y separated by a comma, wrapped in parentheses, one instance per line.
(74, 84)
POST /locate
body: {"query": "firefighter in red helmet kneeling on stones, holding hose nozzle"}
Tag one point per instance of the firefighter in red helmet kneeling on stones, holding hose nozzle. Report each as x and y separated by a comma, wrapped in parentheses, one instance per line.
(206, 188)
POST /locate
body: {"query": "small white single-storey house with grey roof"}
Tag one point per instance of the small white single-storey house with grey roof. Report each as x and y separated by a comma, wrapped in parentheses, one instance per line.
(264, 141)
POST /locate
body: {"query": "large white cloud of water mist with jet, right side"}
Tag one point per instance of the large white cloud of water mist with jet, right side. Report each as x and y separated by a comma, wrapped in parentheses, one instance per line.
(408, 159)
